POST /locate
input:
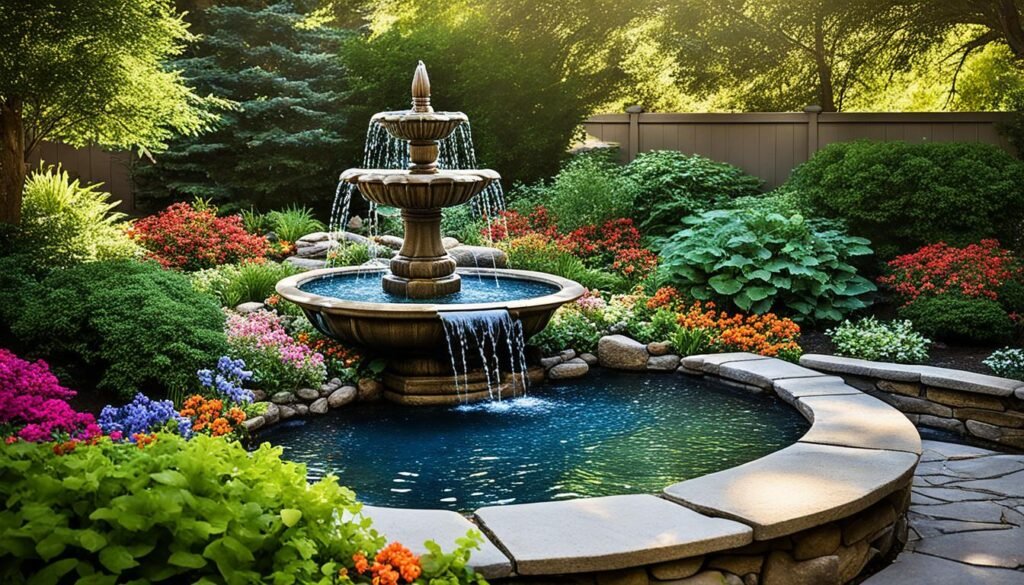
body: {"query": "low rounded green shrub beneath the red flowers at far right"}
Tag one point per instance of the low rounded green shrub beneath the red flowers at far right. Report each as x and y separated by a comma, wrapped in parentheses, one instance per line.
(960, 319)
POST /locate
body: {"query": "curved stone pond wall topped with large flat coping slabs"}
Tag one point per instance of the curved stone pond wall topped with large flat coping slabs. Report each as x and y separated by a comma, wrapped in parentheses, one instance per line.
(817, 513)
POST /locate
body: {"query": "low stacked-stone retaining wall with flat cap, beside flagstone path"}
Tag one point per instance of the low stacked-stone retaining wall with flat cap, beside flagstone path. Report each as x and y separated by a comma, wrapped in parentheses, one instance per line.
(975, 405)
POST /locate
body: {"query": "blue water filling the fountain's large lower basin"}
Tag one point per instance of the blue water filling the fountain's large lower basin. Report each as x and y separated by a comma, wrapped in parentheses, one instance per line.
(367, 288)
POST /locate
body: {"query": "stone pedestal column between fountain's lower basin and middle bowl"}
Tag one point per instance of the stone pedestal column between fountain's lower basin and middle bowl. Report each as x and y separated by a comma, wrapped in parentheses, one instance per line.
(422, 269)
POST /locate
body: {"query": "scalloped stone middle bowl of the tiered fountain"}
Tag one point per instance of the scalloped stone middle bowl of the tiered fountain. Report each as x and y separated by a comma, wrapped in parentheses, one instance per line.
(409, 191)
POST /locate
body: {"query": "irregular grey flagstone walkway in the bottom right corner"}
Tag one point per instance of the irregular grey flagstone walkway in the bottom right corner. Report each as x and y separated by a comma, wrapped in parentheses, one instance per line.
(967, 521)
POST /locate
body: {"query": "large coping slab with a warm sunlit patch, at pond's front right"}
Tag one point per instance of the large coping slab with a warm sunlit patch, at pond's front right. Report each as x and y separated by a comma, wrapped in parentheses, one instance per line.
(800, 487)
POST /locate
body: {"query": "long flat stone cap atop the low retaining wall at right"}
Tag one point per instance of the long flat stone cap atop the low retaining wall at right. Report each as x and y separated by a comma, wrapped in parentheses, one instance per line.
(928, 375)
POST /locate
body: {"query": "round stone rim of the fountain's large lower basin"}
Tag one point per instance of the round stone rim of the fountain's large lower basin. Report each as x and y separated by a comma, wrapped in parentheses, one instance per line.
(289, 288)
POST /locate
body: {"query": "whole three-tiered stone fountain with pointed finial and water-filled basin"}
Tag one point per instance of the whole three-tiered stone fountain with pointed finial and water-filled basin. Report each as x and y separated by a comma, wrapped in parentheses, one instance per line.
(445, 345)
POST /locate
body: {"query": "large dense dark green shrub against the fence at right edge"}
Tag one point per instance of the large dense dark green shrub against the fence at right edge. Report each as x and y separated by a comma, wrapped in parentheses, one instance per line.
(904, 196)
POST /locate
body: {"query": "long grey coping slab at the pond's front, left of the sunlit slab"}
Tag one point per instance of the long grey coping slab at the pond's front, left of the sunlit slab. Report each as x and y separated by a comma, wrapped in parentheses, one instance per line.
(606, 534)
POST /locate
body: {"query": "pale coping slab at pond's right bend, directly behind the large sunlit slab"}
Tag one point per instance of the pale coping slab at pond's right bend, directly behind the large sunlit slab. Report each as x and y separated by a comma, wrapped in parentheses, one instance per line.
(859, 421)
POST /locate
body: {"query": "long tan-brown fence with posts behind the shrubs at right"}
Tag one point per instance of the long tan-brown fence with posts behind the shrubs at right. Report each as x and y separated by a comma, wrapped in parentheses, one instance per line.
(771, 146)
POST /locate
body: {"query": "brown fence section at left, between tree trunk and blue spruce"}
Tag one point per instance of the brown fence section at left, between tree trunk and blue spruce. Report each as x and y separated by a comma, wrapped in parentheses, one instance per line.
(94, 165)
